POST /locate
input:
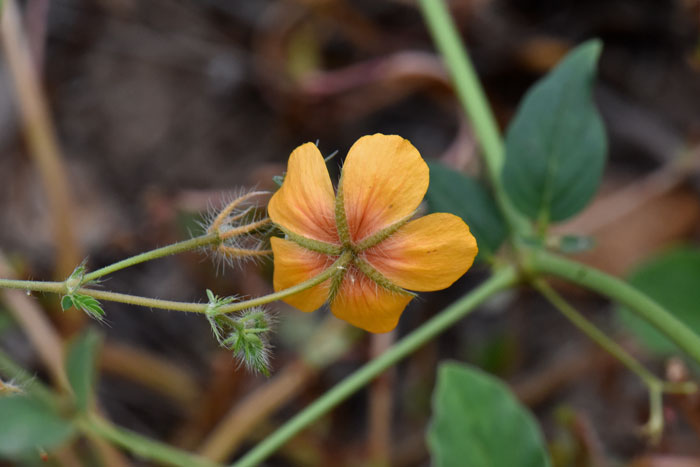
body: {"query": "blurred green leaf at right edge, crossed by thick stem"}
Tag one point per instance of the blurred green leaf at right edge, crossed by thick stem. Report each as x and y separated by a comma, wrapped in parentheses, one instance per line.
(673, 280)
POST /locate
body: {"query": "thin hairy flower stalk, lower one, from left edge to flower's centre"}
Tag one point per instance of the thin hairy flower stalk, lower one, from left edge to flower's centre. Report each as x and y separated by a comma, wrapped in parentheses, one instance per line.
(60, 288)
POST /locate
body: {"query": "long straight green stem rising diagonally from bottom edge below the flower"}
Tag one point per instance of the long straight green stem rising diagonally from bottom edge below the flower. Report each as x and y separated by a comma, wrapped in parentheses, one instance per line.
(501, 280)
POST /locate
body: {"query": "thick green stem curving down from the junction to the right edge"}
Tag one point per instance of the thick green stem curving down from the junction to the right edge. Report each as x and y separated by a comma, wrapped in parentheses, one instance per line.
(620, 291)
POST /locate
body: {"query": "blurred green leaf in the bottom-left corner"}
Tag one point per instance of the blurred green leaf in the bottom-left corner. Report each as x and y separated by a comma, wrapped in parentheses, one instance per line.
(28, 424)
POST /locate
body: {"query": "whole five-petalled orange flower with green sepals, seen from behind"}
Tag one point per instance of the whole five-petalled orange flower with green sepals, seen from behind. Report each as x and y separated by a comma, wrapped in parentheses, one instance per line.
(364, 233)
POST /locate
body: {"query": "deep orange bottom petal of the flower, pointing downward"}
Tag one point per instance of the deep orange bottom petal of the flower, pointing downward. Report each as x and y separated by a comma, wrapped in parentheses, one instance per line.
(367, 305)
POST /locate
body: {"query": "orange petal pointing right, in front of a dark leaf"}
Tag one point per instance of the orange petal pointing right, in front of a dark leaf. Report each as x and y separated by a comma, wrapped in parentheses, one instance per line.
(426, 254)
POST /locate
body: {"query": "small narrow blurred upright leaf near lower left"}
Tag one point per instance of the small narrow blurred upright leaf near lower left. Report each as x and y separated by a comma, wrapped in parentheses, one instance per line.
(80, 366)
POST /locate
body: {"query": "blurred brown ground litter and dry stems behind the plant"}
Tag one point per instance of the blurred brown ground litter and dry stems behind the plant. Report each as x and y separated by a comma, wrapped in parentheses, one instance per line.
(159, 109)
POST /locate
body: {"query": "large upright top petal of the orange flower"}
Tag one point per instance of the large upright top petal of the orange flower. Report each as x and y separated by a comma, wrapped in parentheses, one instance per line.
(384, 180)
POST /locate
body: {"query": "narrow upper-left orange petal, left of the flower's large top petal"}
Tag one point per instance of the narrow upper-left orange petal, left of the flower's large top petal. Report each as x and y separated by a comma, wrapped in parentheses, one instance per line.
(305, 204)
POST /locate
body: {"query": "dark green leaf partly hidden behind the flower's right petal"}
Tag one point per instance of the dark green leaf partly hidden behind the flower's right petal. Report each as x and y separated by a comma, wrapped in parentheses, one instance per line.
(453, 192)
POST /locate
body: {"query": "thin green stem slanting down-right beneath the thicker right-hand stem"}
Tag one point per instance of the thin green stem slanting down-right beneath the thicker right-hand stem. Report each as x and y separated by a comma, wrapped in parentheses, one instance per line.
(597, 335)
